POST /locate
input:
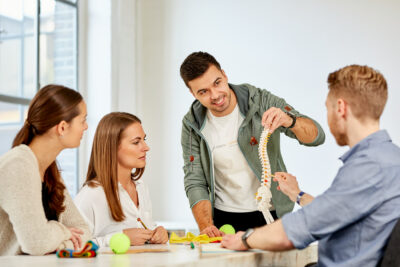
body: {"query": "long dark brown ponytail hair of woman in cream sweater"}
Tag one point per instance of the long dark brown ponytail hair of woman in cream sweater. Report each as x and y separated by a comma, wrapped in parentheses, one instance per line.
(51, 105)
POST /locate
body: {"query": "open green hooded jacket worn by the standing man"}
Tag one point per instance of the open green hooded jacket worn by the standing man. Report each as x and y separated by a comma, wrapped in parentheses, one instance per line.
(198, 166)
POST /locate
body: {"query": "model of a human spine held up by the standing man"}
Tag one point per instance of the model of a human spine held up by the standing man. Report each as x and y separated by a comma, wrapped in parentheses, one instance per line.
(263, 195)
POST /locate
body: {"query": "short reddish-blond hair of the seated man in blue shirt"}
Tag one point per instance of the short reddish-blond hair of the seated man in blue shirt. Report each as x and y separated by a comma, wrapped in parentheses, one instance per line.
(364, 88)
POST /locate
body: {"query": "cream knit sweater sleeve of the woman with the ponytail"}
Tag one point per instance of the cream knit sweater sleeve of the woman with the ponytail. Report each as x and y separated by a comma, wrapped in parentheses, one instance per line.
(21, 199)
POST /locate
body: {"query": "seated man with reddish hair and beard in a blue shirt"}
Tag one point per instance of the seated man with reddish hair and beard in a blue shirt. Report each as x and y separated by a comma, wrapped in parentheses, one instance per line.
(353, 219)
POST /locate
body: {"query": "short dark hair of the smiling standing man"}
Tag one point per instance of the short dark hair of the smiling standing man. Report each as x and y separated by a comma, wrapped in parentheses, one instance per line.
(196, 64)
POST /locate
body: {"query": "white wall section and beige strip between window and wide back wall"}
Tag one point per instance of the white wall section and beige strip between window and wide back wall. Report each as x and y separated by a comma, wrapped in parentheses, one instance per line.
(107, 64)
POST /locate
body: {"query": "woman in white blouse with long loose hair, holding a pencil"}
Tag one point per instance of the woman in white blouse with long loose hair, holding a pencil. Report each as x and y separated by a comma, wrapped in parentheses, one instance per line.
(114, 199)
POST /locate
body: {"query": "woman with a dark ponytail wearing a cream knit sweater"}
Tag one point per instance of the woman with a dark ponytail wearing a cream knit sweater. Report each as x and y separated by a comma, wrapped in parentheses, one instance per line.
(37, 215)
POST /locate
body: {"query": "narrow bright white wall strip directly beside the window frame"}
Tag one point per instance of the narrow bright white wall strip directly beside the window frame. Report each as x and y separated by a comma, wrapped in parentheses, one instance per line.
(94, 69)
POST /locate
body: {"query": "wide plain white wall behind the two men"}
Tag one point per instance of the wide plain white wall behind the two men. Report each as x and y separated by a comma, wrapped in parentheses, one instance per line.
(288, 47)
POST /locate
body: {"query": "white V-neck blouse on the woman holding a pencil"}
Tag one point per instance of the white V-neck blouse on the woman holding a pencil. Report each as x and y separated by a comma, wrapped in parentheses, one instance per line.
(92, 203)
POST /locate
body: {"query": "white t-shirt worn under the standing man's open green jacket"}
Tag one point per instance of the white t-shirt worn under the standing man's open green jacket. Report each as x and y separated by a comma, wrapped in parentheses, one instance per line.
(235, 182)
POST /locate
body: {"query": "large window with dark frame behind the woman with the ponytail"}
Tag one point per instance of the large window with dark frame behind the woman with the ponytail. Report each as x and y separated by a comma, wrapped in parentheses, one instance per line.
(38, 46)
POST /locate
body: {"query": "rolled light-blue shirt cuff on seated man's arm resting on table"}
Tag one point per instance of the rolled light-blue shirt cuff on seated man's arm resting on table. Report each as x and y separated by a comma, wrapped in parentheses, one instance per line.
(295, 228)
